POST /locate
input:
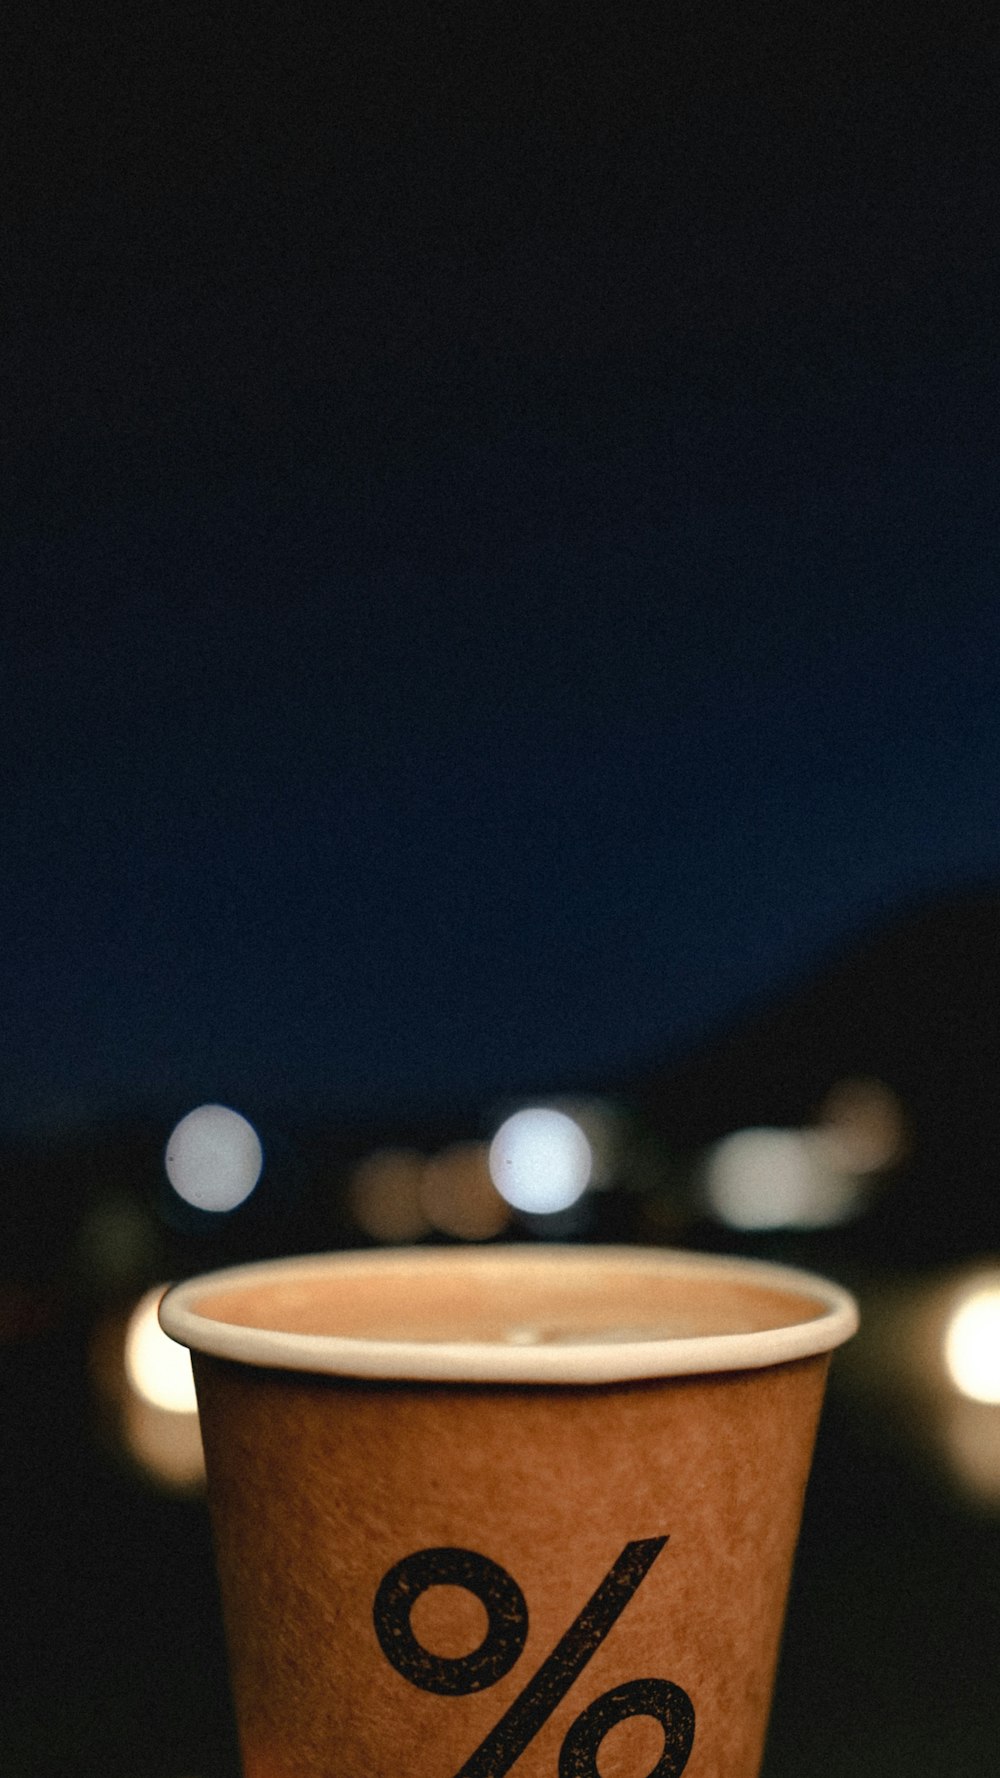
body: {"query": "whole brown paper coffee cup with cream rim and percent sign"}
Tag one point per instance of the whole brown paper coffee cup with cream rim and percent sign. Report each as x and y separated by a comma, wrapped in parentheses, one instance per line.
(506, 1510)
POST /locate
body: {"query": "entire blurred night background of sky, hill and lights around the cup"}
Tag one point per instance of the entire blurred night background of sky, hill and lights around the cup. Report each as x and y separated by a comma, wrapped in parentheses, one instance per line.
(499, 554)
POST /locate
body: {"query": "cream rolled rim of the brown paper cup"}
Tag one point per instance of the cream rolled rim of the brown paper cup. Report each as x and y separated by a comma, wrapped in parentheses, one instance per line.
(586, 1361)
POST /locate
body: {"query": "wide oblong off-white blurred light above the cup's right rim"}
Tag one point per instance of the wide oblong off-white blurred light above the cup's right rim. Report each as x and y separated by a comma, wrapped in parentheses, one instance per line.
(778, 1180)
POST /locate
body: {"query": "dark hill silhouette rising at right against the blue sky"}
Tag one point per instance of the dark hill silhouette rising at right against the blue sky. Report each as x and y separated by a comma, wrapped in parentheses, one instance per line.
(914, 1004)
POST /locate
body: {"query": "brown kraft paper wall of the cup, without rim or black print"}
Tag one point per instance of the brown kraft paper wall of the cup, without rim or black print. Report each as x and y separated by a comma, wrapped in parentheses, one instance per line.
(321, 1486)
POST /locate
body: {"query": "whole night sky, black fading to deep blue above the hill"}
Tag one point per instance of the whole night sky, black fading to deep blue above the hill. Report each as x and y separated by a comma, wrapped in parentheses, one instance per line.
(499, 534)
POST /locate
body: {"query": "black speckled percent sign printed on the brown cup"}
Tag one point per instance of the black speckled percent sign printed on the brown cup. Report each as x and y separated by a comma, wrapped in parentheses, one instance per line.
(508, 1614)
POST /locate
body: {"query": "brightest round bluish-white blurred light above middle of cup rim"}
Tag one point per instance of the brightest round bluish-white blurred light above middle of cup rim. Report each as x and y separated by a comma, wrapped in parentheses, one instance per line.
(540, 1162)
